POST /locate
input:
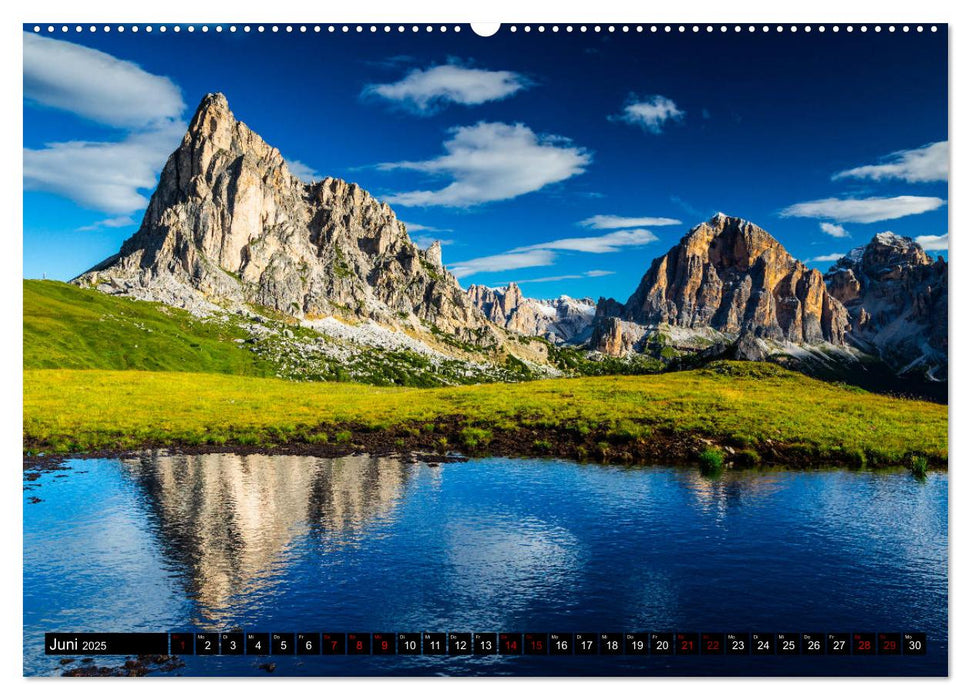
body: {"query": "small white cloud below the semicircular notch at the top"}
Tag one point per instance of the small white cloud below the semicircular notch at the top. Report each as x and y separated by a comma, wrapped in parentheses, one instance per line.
(426, 91)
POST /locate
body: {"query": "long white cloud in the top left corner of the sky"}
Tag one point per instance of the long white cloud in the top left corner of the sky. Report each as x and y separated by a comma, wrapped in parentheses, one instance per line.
(96, 85)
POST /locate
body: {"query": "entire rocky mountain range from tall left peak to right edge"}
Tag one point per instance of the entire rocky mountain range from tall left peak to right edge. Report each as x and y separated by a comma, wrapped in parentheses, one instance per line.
(230, 230)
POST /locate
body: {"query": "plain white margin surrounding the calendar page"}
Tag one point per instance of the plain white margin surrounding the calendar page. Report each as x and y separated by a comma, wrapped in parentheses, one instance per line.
(439, 11)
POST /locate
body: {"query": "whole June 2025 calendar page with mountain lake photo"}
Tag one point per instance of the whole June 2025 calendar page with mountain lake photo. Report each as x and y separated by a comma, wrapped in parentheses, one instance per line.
(522, 350)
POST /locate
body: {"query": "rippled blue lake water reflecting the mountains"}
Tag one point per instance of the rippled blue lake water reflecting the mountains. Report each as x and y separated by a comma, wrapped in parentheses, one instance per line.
(284, 543)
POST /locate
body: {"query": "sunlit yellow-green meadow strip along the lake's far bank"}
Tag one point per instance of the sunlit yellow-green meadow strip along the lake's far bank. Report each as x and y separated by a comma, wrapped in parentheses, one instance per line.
(757, 410)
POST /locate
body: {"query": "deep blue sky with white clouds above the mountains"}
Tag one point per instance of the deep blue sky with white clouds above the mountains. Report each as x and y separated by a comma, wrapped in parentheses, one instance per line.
(565, 162)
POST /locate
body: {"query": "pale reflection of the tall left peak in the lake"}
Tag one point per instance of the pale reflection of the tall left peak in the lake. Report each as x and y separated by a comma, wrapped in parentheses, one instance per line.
(231, 520)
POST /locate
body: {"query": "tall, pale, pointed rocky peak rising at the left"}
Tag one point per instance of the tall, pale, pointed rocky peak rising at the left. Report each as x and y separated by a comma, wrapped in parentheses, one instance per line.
(229, 225)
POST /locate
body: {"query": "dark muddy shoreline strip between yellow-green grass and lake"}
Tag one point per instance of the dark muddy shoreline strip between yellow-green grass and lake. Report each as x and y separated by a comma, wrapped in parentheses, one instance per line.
(452, 439)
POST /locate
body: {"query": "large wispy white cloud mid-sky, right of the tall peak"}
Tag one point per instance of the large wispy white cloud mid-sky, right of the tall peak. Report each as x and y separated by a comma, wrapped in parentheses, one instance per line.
(490, 162)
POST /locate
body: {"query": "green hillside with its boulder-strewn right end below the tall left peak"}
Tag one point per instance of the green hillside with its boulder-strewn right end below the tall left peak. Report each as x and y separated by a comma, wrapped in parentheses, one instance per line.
(70, 328)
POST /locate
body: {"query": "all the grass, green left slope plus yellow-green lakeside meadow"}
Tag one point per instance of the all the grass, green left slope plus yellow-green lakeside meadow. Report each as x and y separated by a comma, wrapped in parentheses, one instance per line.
(109, 373)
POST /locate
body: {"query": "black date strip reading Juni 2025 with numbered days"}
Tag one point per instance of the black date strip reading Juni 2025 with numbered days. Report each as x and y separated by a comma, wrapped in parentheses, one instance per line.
(489, 643)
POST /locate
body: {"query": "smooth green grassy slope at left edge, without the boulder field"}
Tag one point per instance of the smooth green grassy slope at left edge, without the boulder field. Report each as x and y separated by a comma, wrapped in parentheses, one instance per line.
(68, 327)
